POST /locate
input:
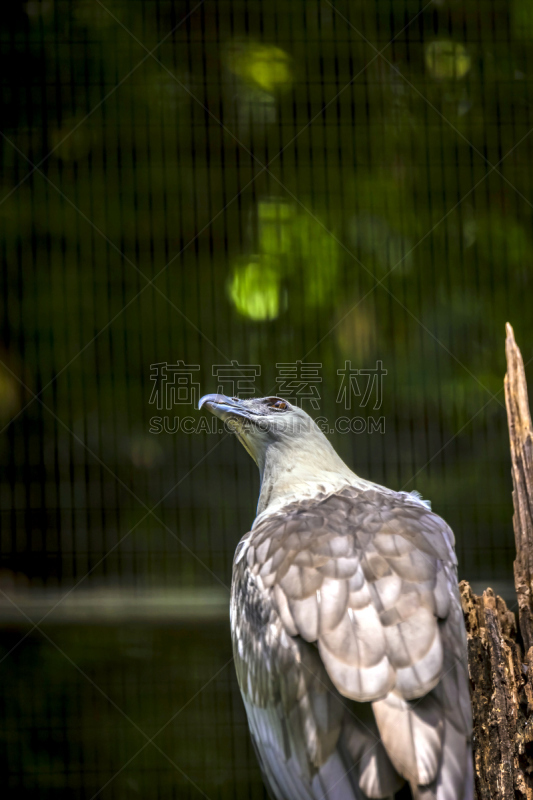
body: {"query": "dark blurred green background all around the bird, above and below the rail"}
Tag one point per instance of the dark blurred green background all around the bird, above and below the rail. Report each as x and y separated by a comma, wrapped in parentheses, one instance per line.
(247, 181)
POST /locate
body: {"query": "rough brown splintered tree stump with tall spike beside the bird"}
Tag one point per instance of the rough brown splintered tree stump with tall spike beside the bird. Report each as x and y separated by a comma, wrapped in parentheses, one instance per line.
(500, 656)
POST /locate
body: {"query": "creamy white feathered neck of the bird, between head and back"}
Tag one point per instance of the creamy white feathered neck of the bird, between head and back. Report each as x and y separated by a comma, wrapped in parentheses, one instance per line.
(298, 472)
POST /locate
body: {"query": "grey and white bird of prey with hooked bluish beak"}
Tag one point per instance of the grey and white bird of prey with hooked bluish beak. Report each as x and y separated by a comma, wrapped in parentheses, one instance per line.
(348, 636)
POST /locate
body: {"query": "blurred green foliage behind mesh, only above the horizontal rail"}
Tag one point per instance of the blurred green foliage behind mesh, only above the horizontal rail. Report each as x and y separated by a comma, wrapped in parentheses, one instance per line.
(346, 208)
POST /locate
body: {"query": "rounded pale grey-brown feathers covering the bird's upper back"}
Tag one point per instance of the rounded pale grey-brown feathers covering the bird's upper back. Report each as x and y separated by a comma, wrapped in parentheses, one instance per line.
(365, 577)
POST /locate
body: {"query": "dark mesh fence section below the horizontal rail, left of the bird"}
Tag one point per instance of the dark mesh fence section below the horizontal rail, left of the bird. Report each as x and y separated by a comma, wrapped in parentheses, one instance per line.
(115, 727)
